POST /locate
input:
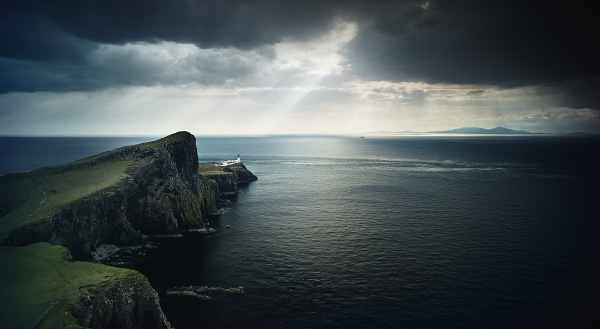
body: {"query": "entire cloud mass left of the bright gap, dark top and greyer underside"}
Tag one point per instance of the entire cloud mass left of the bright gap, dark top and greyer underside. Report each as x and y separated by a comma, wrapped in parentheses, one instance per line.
(54, 45)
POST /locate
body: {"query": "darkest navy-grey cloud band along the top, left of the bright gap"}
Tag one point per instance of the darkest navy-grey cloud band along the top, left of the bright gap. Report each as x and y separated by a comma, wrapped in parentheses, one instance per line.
(207, 24)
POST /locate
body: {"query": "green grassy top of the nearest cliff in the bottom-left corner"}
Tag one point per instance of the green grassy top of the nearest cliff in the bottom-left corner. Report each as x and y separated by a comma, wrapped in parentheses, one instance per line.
(35, 276)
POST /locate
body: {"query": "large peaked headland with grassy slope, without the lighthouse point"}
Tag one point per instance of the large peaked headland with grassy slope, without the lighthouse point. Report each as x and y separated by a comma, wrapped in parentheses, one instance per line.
(113, 197)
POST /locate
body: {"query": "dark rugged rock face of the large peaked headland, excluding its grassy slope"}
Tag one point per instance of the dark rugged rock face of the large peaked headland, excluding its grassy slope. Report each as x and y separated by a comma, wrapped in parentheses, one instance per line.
(162, 194)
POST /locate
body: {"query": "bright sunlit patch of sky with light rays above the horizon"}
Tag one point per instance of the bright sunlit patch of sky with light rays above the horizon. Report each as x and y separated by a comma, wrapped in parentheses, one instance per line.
(290, 87)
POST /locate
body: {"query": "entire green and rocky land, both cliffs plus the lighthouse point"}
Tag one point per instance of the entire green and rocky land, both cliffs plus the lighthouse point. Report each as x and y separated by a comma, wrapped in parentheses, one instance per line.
(54, 215)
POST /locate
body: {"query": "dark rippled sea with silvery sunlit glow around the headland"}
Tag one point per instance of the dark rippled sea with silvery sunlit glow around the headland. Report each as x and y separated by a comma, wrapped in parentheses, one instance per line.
(380, 232)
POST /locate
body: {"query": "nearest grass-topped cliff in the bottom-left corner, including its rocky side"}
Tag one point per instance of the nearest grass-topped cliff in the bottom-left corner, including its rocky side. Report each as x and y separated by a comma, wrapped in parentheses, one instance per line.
(42, 288)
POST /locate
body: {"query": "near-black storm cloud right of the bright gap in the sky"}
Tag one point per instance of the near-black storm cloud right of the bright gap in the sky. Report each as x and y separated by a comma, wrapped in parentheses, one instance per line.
(502, 43)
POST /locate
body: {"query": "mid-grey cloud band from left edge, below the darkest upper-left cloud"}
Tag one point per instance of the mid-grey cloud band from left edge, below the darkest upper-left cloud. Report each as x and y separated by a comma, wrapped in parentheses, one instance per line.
(138, 65)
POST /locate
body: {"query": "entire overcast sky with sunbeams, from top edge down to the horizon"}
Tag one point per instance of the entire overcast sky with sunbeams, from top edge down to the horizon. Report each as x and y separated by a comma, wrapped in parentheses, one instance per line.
(153, 67)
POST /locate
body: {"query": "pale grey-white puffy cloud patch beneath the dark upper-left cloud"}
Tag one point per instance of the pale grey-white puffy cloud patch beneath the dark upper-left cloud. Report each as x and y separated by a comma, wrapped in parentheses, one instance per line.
(171, 63)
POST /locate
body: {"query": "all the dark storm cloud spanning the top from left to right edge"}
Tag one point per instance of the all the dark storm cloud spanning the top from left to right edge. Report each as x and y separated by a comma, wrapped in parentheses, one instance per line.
(497, 43)
